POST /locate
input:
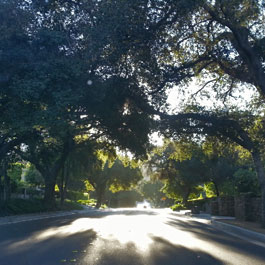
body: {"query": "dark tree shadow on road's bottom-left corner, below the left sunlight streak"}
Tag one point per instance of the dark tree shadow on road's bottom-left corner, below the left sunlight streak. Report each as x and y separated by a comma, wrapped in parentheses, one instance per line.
(52, 250)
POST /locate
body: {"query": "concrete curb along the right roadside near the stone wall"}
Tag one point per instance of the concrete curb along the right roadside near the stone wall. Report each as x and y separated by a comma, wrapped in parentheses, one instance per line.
(249, 235)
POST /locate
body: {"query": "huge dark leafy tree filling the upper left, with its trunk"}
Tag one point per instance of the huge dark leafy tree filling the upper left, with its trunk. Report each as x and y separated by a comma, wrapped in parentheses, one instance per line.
(59, 77)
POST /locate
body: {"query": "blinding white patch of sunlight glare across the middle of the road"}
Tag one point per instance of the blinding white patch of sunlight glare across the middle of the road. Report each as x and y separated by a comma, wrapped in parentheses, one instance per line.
(138, 229)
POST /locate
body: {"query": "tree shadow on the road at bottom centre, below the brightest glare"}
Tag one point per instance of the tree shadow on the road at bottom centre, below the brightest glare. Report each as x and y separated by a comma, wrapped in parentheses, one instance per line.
(160, 252)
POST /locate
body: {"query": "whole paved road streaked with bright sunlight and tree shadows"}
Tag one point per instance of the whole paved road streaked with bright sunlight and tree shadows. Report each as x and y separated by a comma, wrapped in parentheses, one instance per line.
(123, 237)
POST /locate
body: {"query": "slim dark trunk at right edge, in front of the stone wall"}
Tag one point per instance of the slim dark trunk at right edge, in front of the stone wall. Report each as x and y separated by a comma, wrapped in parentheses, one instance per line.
(261, 176)
